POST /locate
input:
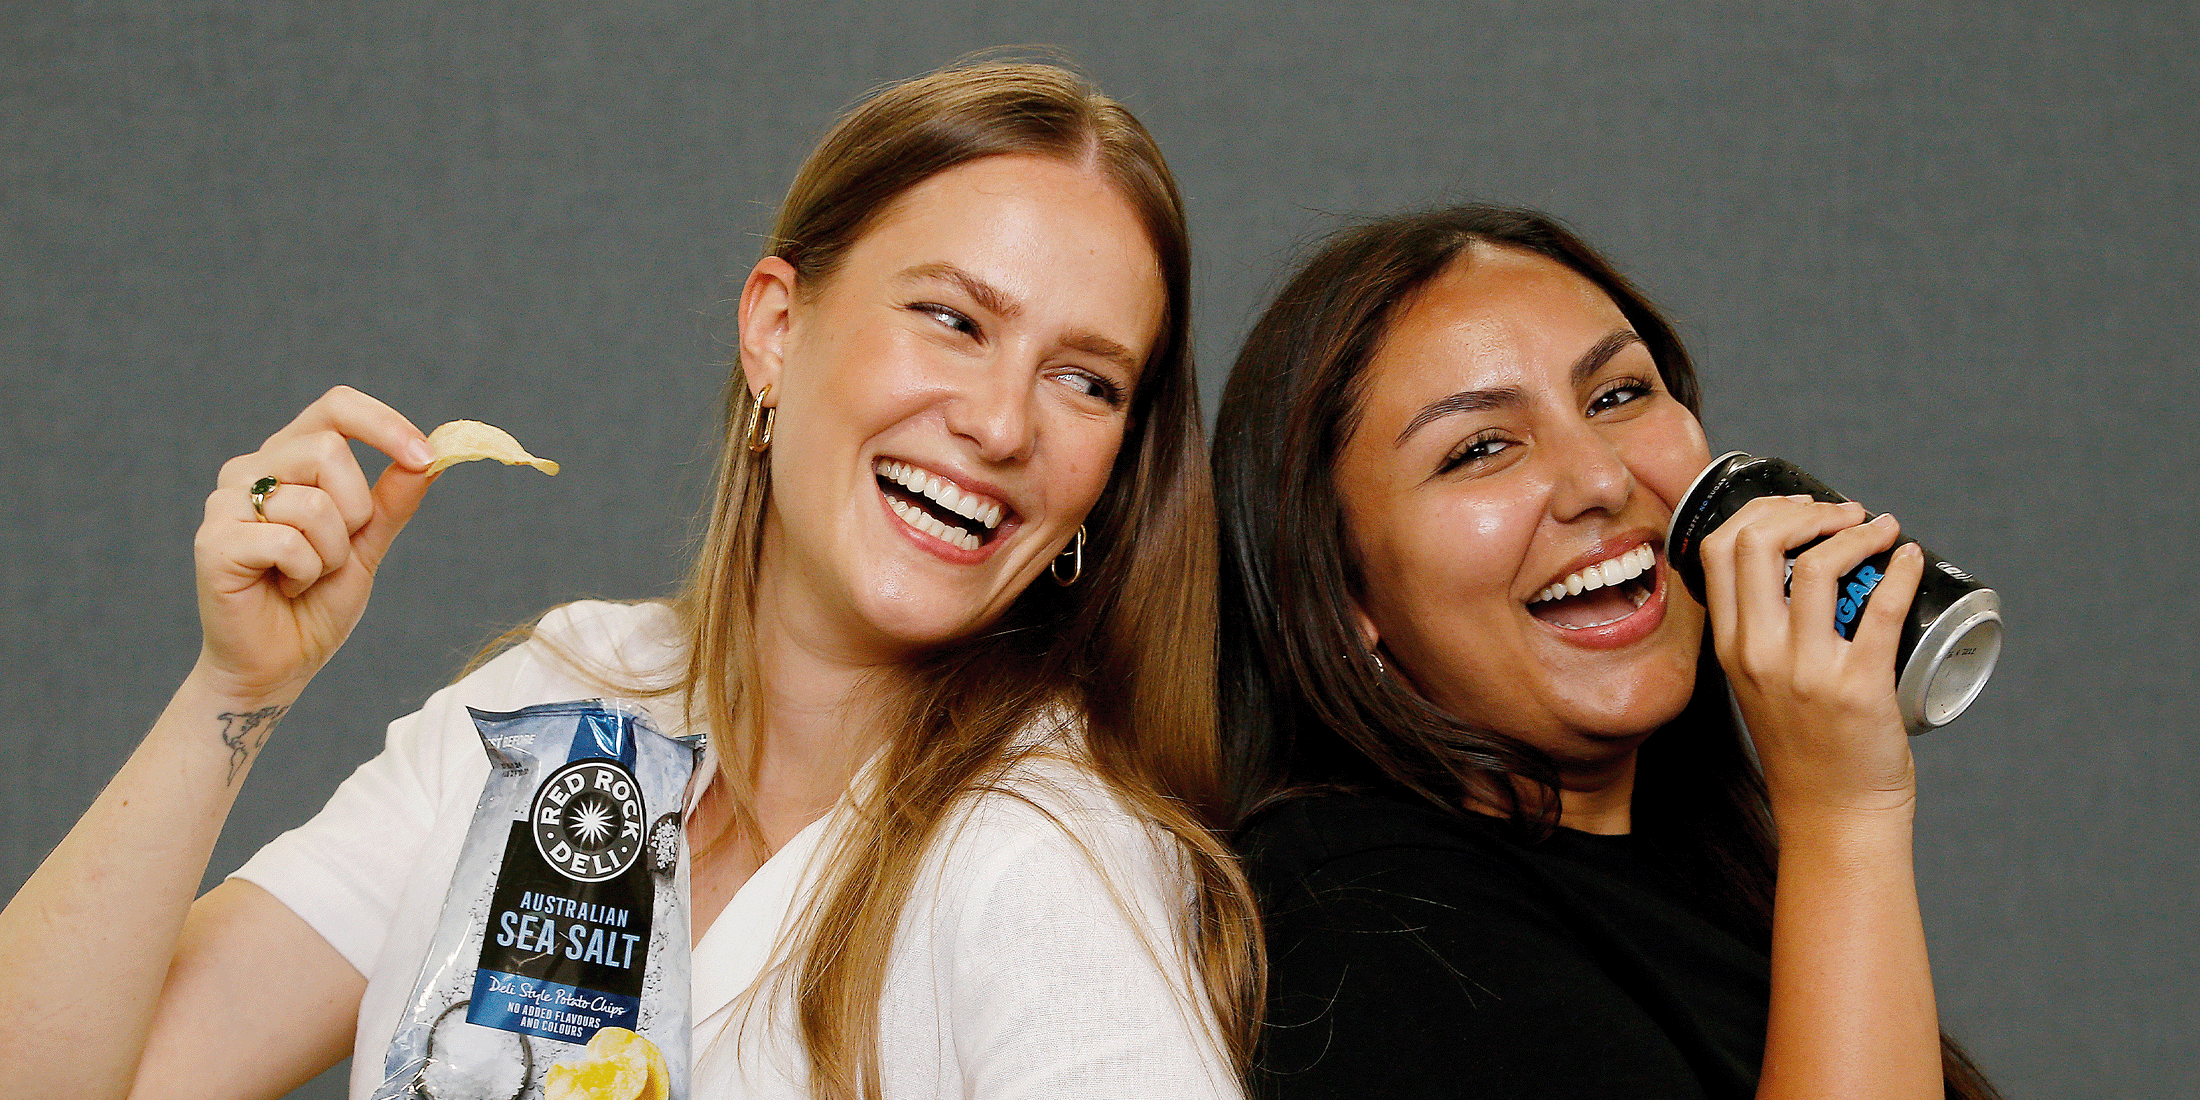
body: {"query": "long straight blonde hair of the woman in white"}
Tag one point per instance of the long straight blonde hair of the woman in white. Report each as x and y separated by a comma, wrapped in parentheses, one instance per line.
(1130, 648)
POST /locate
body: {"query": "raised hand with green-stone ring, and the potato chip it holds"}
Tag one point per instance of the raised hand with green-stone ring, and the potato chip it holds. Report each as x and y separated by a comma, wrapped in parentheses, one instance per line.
(285, 566)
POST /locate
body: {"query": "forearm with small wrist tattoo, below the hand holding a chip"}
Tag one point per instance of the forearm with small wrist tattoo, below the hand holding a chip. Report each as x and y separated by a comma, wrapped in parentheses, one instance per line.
(87, 943)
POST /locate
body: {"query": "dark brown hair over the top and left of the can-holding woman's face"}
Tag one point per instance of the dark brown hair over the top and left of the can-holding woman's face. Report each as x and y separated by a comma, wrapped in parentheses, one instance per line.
(1312, 705)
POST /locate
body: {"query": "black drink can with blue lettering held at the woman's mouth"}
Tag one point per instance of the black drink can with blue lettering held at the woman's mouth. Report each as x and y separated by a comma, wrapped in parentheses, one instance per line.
(1955, 630)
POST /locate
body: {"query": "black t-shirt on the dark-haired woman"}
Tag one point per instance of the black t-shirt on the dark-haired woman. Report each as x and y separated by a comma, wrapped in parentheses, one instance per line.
(1418, 954)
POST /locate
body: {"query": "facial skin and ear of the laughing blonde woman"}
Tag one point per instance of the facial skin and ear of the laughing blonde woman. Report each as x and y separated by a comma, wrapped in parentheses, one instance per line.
(868, 366)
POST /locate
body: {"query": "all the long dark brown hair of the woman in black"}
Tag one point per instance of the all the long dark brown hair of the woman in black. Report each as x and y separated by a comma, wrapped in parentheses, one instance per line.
(1308, 709)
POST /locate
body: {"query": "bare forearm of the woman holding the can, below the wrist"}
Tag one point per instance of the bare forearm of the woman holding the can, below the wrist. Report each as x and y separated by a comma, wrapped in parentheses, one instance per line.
(1851, 1000)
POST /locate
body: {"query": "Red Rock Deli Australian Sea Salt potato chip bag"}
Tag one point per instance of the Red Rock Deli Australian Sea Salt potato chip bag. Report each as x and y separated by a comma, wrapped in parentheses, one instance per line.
(560, 969)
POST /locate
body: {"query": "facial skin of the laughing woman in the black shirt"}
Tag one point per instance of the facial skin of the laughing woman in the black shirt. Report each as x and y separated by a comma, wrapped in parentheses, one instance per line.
(1572, 467)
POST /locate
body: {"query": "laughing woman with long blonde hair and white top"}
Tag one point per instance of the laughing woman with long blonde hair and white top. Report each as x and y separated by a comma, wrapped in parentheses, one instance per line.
(954, 833)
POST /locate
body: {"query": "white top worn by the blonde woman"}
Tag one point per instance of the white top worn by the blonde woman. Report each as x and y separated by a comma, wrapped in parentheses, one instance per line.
(1035, 958)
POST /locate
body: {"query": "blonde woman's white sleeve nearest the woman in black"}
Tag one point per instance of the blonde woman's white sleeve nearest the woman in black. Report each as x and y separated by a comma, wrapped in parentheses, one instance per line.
(1061, 962)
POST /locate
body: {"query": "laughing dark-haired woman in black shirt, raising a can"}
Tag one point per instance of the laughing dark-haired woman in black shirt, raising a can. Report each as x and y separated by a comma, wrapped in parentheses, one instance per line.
(1508, 833)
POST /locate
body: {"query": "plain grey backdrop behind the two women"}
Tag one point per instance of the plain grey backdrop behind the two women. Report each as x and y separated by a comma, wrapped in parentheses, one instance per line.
(1941, 254)
